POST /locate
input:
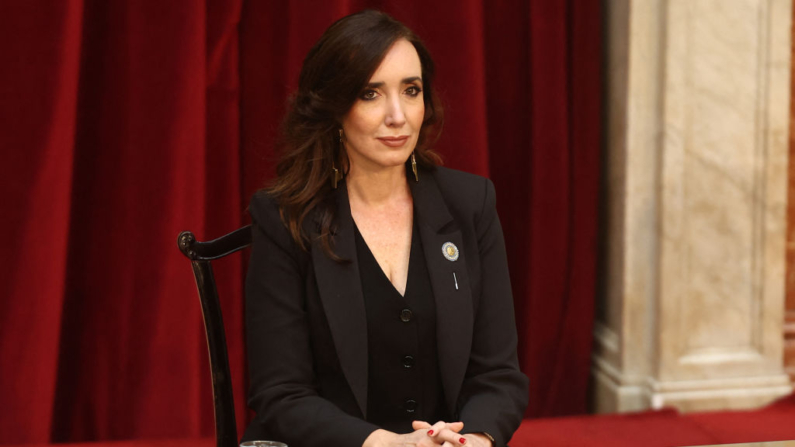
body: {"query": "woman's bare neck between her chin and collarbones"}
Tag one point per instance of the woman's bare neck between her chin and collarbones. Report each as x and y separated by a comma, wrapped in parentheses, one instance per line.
(379, 187)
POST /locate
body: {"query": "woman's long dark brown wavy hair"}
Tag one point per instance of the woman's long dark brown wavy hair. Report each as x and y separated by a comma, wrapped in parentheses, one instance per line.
(335, 72)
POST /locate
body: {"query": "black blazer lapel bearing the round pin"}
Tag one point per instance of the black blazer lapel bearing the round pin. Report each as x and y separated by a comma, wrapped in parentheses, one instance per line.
(450, 283)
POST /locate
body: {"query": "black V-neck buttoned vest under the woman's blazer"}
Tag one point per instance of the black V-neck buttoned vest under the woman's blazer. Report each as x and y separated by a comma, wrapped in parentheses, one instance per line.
(404, 383)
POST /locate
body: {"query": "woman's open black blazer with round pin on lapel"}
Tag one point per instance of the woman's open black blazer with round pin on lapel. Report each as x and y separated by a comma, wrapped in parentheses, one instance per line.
(306, 326)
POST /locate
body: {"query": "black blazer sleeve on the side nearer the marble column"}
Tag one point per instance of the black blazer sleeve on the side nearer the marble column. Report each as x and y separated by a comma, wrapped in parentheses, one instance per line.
(494, 393)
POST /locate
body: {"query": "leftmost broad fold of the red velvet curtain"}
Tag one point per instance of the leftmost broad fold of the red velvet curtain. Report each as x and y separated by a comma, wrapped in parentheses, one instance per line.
(38, 91)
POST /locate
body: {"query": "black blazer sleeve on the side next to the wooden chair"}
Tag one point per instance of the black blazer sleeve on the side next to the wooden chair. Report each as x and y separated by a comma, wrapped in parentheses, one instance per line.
(283, 388)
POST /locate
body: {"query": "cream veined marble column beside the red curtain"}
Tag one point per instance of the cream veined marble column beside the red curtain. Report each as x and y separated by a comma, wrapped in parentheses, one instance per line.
(691, 294)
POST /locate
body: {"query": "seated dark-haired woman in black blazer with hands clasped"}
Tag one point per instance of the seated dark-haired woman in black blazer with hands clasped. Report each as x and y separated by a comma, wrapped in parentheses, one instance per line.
(377, 299)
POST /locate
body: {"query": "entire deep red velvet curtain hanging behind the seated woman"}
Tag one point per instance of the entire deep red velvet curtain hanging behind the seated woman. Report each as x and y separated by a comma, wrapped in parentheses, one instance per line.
(125, 122)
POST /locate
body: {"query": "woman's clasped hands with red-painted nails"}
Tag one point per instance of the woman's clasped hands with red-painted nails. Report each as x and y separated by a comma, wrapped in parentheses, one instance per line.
(446, 434)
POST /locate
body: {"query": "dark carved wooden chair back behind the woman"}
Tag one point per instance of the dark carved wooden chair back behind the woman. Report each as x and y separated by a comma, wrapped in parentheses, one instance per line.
(200, 255)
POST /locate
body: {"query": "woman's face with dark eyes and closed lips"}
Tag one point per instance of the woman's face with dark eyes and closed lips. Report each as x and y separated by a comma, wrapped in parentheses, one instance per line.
(382, 127)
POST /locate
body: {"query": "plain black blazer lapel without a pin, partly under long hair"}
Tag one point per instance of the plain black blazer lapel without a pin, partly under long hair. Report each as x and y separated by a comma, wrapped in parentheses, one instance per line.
(340, 290)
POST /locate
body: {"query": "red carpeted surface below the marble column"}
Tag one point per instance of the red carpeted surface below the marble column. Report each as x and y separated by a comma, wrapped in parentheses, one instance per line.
(663, 428)
